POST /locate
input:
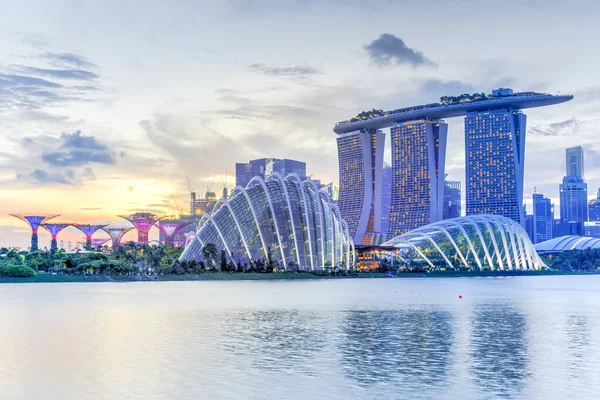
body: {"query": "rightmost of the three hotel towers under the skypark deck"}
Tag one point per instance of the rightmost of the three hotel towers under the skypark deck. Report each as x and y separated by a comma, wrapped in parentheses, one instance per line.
(494, 152)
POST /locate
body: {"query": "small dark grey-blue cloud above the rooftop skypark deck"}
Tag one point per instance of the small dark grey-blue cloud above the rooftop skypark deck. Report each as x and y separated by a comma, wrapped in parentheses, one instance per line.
(388, 49)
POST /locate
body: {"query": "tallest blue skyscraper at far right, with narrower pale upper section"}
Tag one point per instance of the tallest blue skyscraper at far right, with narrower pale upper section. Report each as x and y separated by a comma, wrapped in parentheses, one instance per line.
(573, 192)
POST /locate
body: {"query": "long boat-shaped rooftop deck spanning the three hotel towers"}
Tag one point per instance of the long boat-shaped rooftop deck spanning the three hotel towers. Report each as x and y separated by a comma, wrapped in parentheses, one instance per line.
(449, 107)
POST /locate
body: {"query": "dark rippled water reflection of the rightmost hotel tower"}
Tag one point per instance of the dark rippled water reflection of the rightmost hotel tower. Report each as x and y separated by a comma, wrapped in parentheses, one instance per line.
(498, 357)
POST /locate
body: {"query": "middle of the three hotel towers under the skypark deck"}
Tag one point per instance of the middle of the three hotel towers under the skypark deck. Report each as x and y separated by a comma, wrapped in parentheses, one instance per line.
(418, 163)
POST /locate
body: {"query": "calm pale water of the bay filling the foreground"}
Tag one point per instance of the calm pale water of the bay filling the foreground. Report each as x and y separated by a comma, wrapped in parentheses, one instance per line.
(534, 338)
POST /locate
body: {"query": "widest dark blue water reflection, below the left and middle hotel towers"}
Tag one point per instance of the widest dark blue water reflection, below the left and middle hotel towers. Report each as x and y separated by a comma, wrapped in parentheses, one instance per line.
(407, 347)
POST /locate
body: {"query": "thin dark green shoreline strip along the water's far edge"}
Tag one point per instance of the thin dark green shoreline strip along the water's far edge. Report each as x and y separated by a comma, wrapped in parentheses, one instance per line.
(45, 278)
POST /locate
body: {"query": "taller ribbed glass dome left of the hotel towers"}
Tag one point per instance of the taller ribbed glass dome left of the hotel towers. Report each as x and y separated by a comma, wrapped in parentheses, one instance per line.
(286, 220)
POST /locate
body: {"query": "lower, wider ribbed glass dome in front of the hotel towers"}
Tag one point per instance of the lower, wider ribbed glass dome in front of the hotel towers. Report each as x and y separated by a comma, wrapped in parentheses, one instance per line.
(483, 242)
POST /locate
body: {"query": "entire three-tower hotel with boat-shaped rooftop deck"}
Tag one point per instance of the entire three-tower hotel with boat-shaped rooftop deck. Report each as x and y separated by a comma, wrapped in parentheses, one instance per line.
(494, 158)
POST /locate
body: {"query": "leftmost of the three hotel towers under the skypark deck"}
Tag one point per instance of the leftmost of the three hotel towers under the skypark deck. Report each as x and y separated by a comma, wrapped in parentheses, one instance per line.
(360, 155)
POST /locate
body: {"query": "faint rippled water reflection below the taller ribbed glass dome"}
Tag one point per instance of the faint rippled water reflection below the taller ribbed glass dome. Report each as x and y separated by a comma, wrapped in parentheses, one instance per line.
(277, 340)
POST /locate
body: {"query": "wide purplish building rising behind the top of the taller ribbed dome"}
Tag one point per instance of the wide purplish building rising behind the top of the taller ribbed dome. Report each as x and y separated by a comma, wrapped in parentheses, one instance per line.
(264, 167)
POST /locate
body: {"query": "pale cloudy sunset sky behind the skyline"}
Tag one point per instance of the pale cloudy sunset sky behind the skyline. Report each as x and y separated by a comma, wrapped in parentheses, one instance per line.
(107, 107)
